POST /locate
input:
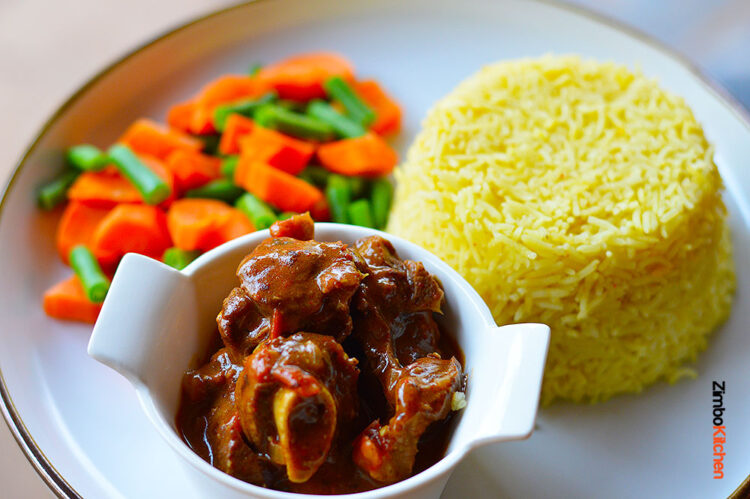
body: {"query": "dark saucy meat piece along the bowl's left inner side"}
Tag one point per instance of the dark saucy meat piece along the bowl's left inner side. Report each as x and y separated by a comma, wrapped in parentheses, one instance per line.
(214, 384)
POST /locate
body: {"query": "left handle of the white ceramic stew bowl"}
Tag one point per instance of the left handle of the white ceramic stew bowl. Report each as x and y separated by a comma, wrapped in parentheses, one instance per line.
(144, 300)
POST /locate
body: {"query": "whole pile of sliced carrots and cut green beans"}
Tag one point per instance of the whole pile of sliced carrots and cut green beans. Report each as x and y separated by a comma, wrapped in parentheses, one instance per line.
(246, 150)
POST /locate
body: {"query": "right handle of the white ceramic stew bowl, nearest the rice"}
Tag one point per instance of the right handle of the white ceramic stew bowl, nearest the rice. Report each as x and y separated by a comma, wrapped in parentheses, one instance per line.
(515, 387)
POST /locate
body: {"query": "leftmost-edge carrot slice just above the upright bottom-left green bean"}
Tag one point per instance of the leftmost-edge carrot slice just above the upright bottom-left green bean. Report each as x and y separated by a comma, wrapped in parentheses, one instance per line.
(78, 226)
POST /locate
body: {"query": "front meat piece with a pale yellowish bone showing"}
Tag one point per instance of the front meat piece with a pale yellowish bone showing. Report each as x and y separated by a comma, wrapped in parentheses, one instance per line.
(292, 395)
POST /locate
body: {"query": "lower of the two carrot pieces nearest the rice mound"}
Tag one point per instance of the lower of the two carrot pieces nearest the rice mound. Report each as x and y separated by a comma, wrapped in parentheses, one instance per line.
(368, 155)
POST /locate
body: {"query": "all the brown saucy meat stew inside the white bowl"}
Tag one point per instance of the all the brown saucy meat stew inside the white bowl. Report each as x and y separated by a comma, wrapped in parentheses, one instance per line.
(330, 374)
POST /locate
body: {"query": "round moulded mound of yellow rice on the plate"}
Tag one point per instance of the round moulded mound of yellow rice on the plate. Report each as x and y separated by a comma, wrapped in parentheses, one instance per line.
(584, 196)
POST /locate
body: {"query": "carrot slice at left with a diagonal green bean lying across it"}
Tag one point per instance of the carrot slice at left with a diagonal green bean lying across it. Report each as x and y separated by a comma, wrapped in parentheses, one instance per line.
(108, 187)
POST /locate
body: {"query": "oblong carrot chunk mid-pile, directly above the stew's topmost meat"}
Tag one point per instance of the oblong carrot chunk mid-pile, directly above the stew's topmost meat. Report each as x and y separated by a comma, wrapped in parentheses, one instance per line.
(284, 191)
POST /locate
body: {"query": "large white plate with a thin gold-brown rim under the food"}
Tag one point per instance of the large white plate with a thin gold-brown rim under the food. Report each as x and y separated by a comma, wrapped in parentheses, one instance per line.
(81, 423)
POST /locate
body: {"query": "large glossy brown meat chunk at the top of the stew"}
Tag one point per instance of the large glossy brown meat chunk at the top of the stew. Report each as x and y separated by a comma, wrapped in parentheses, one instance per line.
(302, 285)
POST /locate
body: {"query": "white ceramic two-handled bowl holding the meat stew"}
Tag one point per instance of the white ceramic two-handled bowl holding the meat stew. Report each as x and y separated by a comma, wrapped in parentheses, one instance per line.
(156, 321)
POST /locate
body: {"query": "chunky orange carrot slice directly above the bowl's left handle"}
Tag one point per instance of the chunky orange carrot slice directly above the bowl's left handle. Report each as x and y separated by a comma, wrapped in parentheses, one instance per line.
(133, 228)
